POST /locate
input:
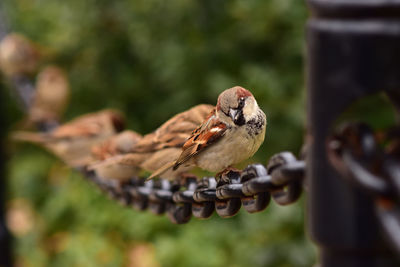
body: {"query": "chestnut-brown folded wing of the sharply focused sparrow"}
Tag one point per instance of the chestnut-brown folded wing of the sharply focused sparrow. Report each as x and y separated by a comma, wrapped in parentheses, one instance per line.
(204, 136)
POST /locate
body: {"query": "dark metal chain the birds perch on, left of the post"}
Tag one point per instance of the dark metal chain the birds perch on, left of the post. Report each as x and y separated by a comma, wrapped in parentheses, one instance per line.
(253, 188)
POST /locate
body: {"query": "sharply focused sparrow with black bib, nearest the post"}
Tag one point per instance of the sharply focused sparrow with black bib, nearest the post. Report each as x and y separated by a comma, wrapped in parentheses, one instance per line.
(232, 133)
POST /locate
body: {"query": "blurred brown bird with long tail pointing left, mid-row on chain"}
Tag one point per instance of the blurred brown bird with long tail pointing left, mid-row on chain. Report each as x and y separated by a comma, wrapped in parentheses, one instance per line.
(72, 142)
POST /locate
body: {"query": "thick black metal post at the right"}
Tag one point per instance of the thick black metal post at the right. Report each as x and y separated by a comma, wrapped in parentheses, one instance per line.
(353, 50)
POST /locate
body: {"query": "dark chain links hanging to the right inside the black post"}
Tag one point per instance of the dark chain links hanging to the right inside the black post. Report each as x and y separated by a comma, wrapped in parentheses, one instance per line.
(356, 153)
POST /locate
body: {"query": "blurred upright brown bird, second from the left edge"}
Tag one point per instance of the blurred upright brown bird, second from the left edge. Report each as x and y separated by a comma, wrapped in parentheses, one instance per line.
(51, 95)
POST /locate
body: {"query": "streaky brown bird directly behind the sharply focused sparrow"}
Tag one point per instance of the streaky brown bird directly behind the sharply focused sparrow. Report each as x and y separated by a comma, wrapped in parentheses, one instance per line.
(154, 149)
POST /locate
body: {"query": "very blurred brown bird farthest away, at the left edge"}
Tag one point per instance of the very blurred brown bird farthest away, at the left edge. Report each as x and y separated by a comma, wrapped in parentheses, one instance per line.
(18, 55)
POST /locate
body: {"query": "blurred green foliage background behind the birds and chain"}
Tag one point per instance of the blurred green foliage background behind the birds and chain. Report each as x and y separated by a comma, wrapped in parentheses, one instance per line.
(152, 59)
